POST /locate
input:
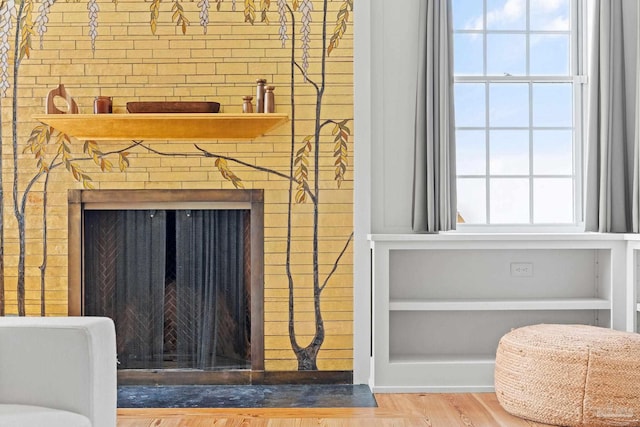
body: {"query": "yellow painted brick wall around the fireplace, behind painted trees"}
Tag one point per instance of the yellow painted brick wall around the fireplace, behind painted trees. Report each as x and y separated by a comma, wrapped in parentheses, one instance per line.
(131, 64)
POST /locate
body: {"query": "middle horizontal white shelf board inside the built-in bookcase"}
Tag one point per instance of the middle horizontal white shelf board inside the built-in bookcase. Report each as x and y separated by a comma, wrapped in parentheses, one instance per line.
(501, 304)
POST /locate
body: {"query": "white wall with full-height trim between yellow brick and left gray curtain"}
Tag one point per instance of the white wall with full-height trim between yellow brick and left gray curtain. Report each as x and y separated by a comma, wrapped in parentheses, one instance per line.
(385, 67)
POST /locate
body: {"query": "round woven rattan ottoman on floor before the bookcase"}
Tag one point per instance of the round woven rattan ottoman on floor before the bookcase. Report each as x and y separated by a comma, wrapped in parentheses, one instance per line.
(570, 375)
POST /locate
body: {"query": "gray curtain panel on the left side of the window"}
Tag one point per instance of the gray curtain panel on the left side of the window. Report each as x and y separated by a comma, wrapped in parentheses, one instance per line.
(434, 178)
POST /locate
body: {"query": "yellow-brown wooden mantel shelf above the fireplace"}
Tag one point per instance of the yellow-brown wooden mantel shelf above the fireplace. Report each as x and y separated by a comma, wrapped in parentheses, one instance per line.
(165, 126)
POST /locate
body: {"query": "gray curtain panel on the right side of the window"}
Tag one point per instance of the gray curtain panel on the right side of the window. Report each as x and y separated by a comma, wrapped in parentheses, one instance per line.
(612, 172)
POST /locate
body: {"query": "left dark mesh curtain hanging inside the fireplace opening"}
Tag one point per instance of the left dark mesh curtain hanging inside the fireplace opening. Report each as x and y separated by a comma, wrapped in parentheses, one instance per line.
(125, 255)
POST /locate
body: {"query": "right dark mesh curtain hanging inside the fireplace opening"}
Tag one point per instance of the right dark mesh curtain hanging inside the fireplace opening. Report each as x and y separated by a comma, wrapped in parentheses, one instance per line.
(211, 301)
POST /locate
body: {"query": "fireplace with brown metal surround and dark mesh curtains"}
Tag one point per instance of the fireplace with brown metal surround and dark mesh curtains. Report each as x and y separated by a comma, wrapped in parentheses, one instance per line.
(181, 274)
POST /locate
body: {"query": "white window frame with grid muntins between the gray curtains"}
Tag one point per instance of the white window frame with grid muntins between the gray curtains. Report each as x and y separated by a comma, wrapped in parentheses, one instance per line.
(578, 78)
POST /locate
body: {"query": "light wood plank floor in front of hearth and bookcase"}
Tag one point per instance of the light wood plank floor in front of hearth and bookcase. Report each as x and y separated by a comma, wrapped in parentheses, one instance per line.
(394, 410)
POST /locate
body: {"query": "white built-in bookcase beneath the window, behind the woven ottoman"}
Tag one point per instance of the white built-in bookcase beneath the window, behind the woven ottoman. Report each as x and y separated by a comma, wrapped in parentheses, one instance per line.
(442, 302)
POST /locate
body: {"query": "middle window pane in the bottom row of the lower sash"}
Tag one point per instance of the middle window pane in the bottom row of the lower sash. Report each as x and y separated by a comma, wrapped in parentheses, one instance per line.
(509, 201)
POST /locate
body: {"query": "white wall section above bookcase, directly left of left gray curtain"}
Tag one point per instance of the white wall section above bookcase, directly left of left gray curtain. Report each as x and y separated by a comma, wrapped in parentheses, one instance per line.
(395, 67)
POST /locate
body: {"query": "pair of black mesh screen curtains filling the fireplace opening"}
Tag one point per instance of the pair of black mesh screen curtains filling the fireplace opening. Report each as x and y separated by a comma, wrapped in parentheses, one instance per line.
(176, 284)
